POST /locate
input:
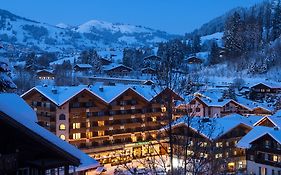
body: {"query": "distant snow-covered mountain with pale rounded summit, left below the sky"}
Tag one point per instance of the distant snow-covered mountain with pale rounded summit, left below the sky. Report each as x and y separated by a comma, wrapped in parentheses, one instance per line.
(27, 34)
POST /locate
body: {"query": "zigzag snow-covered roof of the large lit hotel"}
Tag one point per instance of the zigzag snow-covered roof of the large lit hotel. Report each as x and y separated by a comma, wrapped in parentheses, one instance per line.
(61, 94)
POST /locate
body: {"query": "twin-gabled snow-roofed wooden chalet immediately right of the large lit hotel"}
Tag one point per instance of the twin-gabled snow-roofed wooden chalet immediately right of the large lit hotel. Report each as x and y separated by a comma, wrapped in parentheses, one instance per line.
(213, 140)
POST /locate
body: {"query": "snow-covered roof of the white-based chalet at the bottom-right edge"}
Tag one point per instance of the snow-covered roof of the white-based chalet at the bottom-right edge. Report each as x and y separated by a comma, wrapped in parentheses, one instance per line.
(256, 133)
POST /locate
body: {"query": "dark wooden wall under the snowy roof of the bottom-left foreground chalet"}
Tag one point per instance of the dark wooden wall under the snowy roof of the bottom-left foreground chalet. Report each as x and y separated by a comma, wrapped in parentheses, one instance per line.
(24, 152)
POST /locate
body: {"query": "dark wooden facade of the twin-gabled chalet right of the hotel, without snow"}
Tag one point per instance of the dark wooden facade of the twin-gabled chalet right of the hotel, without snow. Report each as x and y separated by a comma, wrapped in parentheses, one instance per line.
(221, 153)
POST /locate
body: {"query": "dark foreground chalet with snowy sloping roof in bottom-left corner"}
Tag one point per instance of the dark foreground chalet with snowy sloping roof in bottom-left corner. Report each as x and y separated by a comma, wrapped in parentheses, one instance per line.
(27, 148)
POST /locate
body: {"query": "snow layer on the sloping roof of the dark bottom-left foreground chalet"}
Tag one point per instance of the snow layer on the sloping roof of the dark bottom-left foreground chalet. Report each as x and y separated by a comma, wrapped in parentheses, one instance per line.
(26, 117)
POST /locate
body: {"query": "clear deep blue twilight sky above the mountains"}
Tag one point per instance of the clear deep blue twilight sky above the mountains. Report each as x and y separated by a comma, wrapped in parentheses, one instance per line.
(173, 16)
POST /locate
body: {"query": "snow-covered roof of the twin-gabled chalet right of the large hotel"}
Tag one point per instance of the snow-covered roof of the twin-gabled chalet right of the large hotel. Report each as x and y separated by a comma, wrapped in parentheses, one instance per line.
(214, 128)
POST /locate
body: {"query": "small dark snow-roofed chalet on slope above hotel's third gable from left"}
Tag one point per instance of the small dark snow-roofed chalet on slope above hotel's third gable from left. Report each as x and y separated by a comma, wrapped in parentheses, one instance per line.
(117, 69)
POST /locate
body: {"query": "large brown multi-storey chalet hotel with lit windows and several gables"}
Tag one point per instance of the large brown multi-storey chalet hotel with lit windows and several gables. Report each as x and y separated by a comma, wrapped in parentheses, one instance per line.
(111, 122)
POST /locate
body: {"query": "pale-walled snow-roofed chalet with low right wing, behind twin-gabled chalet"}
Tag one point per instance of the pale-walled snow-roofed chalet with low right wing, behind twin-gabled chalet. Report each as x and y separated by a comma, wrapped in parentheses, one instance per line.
(211, 103)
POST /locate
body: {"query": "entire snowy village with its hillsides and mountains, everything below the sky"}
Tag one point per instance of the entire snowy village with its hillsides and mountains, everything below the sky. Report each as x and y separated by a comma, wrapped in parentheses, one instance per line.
(104, 98)
